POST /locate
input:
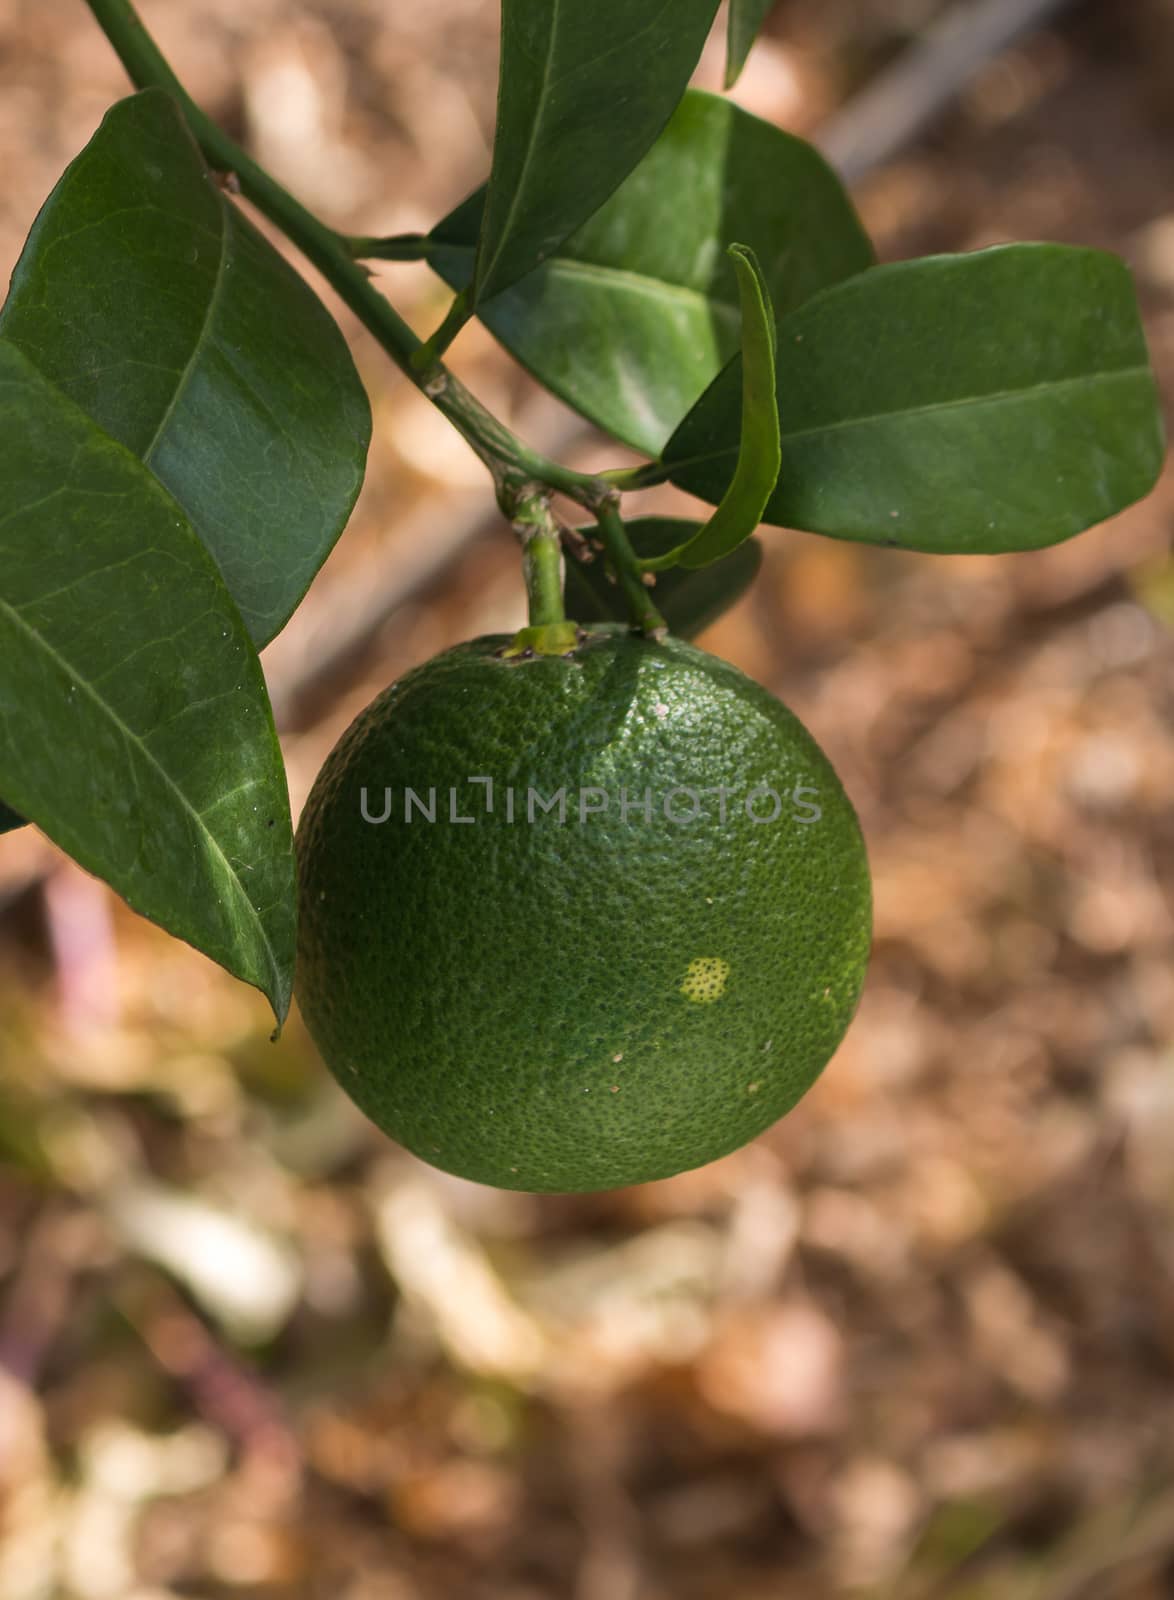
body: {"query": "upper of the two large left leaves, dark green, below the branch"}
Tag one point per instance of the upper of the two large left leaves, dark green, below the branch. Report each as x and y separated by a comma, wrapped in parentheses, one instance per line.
(150, 300)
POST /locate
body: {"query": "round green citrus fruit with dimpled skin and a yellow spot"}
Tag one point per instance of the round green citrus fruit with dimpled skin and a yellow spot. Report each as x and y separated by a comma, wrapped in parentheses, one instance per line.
(585, 1004)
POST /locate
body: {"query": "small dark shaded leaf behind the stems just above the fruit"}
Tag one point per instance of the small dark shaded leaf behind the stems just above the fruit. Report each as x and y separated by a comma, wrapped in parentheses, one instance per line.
(689, 601)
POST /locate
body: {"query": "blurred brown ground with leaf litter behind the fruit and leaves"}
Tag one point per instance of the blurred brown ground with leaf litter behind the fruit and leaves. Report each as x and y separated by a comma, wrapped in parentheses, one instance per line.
(919, 1342)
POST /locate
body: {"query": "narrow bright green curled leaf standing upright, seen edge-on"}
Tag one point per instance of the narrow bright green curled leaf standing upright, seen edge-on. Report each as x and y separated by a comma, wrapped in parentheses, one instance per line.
(743, 505)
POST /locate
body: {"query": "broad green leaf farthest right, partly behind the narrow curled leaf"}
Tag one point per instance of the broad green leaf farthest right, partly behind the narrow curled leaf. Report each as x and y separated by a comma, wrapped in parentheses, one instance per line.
(999, 401)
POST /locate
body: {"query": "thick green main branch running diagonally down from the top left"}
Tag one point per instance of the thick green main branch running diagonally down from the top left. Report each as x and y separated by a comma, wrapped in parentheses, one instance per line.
(333, 255)
